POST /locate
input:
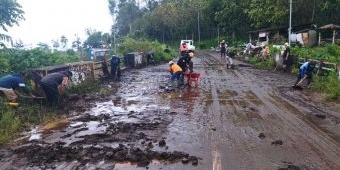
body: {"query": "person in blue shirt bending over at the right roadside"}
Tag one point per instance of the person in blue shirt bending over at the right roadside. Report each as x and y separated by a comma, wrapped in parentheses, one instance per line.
(305, 71)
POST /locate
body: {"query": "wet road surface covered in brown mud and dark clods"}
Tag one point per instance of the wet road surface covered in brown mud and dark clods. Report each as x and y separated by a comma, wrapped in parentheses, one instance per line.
(236, 119)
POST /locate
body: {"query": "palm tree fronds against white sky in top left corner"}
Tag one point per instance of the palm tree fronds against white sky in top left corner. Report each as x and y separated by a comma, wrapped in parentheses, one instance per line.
(10, 13)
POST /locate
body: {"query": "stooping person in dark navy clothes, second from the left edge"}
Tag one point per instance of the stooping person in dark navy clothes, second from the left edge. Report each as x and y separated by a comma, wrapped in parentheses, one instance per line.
(54, 85)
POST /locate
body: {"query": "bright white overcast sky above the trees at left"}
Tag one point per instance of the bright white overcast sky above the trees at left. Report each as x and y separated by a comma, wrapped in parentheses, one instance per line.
(48, 20)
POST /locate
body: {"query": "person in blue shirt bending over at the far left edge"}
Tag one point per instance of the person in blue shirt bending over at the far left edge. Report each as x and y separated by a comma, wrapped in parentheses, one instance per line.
(11, 84)
